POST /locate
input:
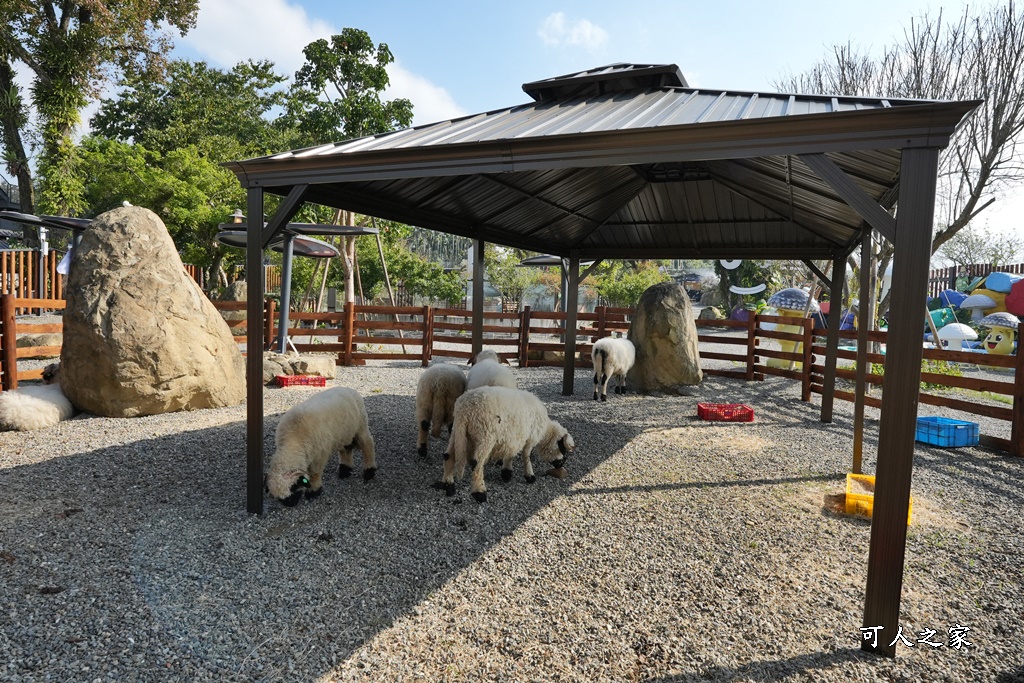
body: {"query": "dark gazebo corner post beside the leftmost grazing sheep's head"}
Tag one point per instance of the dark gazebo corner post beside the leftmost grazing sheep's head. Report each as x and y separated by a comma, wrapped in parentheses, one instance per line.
(254, 358)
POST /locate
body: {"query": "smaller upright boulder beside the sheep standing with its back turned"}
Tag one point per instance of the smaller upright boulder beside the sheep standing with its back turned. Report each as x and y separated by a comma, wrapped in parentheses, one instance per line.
(666, 338)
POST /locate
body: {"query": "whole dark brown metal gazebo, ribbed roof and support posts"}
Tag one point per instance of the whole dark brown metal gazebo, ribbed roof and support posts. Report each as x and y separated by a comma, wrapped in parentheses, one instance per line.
(627, 161)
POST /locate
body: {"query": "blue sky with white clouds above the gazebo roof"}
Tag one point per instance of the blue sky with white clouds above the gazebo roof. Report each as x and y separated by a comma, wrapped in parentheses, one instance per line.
(460, 58)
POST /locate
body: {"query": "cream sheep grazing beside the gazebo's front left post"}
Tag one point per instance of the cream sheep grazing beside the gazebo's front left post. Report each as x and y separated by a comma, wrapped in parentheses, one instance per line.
(331, 421)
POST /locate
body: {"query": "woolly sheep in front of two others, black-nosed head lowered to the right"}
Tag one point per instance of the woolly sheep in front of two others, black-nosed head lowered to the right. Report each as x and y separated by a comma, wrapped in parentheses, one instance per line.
(498, 423)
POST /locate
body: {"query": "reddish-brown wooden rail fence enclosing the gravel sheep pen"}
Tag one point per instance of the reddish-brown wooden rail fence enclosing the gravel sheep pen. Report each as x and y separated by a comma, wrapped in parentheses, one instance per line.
(358, 334)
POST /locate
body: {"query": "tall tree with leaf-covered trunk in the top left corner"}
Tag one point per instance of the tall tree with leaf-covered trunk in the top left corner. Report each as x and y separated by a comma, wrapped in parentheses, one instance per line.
(72, 50)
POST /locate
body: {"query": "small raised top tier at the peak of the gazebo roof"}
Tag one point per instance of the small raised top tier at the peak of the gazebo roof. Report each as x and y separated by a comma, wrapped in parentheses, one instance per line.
(613, 78)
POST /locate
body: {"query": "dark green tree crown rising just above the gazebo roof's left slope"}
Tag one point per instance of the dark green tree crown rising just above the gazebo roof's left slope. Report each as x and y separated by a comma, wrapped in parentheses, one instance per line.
(336, 94)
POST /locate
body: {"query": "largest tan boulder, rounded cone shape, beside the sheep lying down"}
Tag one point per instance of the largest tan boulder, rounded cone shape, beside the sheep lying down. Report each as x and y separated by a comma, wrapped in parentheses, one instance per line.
(140, 336)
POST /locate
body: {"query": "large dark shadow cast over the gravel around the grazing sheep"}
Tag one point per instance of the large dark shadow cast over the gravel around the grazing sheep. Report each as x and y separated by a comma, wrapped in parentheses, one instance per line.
(151, 541)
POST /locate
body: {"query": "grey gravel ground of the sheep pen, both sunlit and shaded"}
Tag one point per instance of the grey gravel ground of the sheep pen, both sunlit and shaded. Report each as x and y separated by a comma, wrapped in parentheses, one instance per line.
(675, 550)
